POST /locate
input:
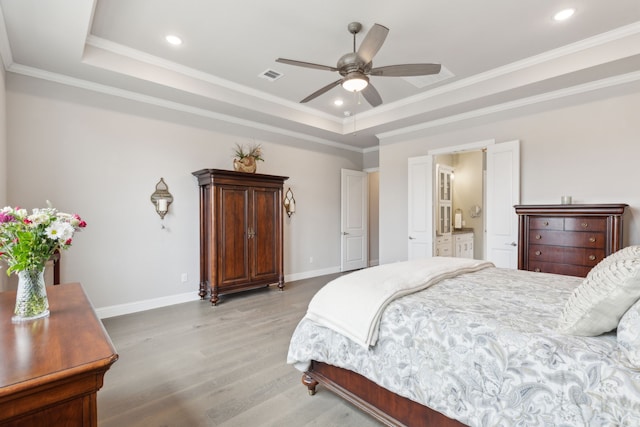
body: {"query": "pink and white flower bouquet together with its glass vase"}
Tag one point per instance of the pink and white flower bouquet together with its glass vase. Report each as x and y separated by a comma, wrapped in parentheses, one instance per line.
(27, 242)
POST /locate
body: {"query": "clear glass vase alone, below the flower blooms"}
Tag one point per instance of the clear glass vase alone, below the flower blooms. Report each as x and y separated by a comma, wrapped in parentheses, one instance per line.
(31, 299)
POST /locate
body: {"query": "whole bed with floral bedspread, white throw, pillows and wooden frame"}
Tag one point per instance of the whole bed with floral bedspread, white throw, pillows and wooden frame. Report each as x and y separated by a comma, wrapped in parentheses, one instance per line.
(454, 343)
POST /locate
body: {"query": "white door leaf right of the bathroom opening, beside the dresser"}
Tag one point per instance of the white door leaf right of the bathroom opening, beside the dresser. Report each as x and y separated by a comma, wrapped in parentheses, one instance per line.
(502, 193)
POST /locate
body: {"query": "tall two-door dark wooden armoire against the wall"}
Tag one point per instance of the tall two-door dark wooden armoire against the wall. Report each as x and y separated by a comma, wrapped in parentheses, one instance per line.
(240, 231)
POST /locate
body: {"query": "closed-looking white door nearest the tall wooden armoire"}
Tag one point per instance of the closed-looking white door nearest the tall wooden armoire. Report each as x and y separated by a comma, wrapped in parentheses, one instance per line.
(354, 223)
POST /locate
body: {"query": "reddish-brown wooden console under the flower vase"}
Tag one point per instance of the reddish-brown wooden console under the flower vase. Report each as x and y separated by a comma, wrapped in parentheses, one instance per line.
(52, 368)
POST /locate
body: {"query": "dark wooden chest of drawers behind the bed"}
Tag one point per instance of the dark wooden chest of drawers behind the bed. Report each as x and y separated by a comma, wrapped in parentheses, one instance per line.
(567, 239)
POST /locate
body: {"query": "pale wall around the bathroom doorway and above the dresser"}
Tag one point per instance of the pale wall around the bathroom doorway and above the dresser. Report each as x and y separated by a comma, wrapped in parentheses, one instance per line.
(589, 150)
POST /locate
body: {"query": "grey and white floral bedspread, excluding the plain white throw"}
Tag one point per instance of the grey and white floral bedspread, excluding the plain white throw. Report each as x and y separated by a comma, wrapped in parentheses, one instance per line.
(481, 348)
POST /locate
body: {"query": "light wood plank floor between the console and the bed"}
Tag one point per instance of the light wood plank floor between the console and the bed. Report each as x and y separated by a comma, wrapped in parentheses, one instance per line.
(193, 364)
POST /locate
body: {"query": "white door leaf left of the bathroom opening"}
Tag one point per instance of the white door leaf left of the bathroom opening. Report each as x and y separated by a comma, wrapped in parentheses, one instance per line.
(420, 197)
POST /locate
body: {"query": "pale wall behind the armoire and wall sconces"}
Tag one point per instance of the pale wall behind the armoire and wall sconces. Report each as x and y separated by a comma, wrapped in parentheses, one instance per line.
(101, 157)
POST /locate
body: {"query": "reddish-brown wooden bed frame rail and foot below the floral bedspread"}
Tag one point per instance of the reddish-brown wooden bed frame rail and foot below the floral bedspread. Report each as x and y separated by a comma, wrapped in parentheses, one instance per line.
(385, 406)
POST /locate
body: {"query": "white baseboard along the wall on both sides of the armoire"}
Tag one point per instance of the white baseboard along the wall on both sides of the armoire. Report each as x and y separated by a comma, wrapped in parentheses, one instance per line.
(134, 307)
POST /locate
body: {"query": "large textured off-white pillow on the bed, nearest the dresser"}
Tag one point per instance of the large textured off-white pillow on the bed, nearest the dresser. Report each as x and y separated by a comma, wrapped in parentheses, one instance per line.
(610, 288)
